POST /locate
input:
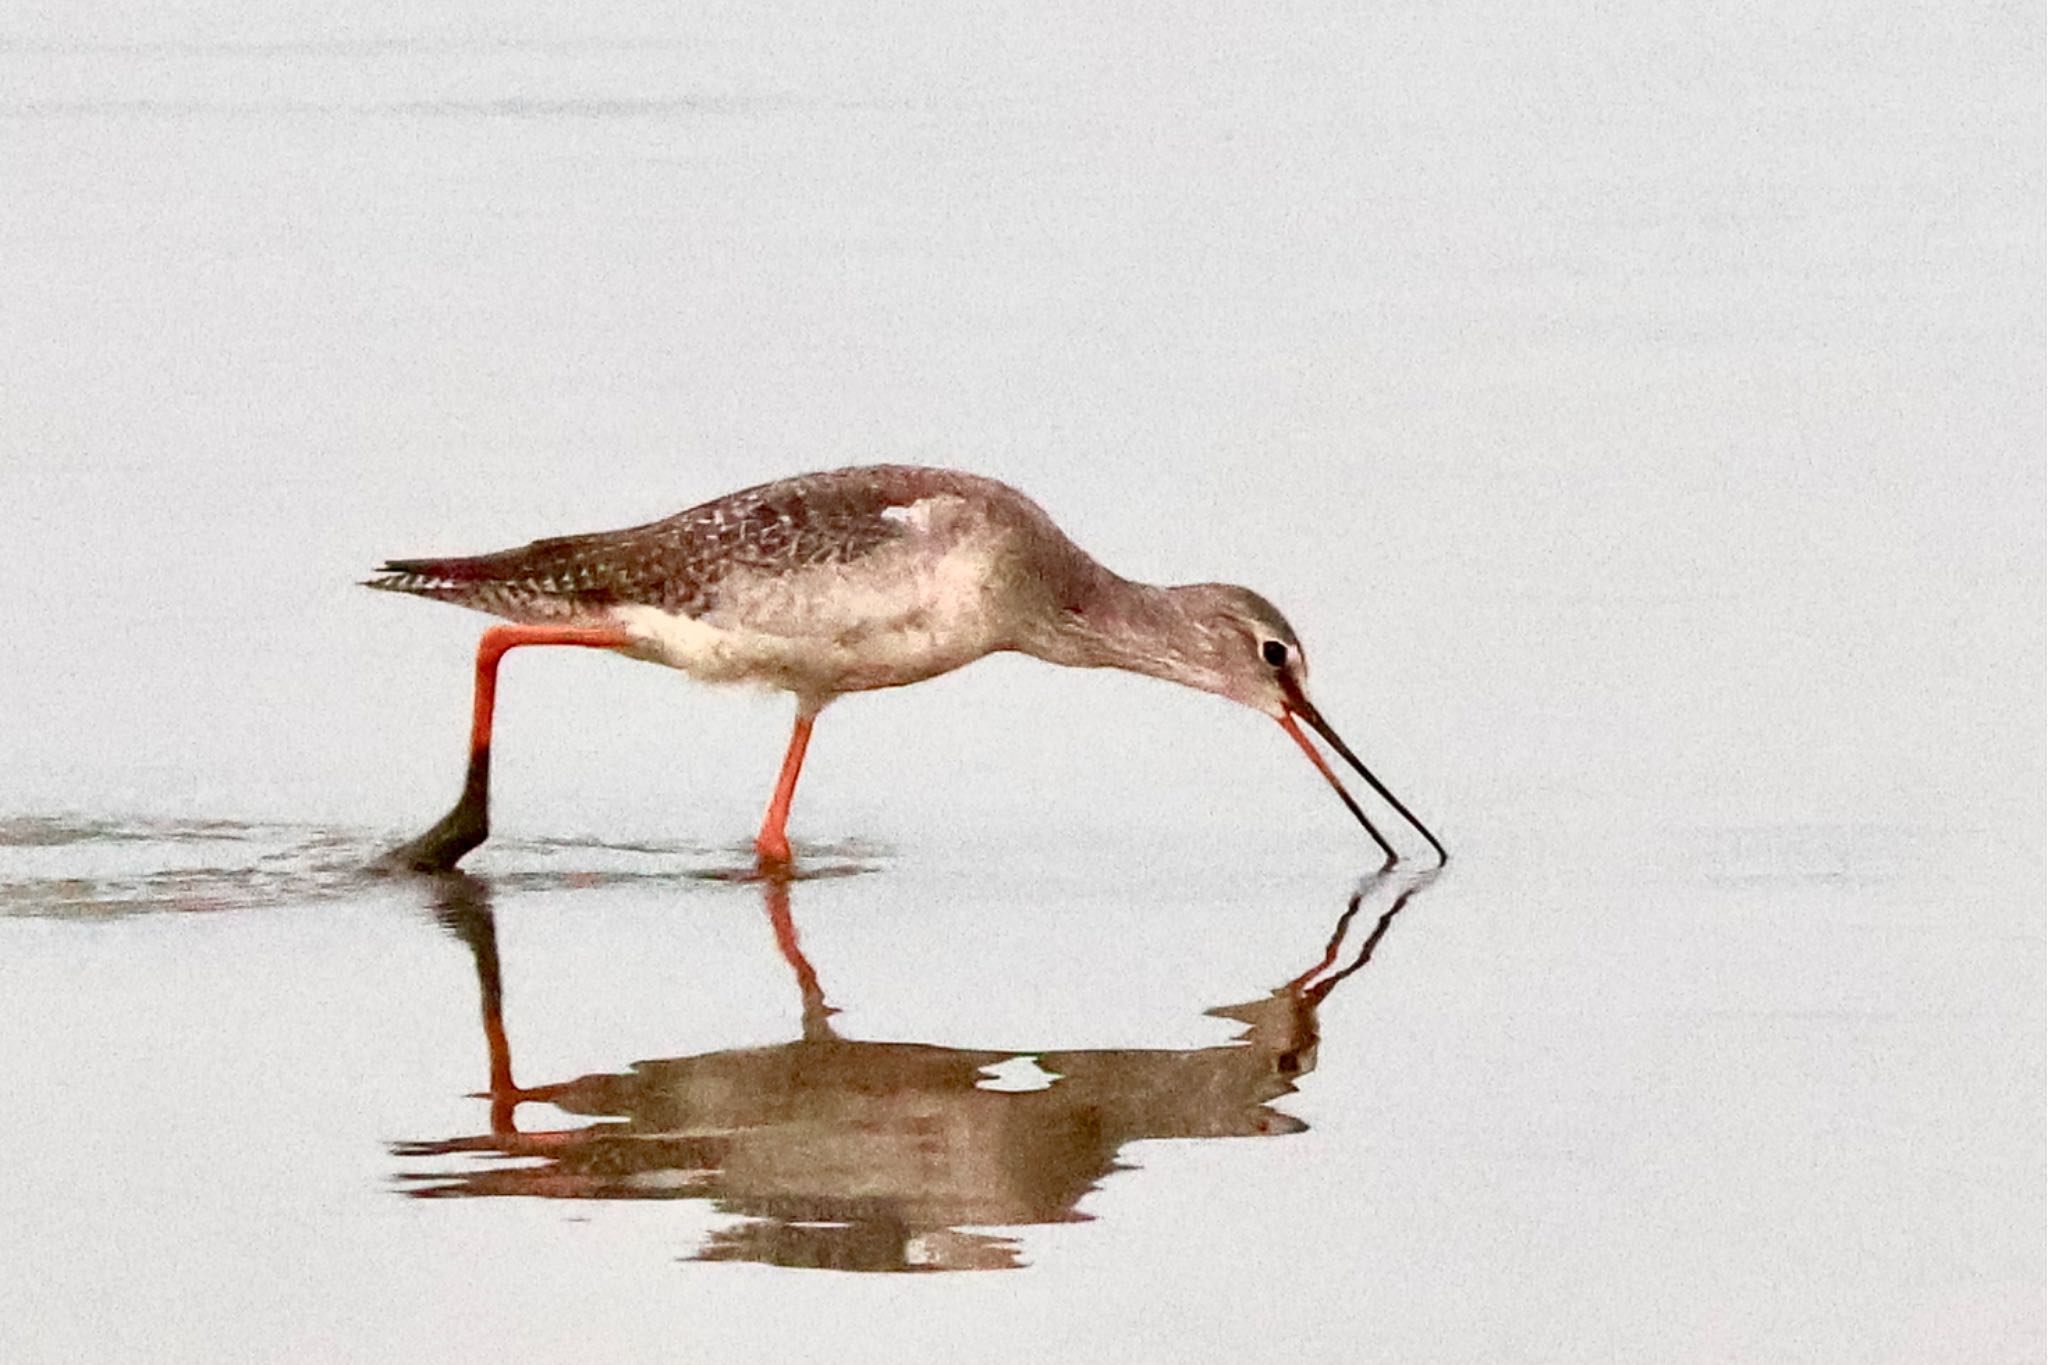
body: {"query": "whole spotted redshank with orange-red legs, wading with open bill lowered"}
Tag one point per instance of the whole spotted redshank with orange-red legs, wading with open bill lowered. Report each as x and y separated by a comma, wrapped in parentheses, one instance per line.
(849, 582)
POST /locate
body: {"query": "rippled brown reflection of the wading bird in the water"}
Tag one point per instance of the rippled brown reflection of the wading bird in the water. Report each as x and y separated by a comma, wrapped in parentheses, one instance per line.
(873, 1155)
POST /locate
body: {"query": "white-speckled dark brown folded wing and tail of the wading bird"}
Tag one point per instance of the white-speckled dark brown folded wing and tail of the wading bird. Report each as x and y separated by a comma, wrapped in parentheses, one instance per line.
(679, 564)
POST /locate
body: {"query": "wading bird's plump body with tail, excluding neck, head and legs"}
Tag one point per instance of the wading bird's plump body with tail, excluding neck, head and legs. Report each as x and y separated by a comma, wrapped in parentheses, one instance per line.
(869, 576)
